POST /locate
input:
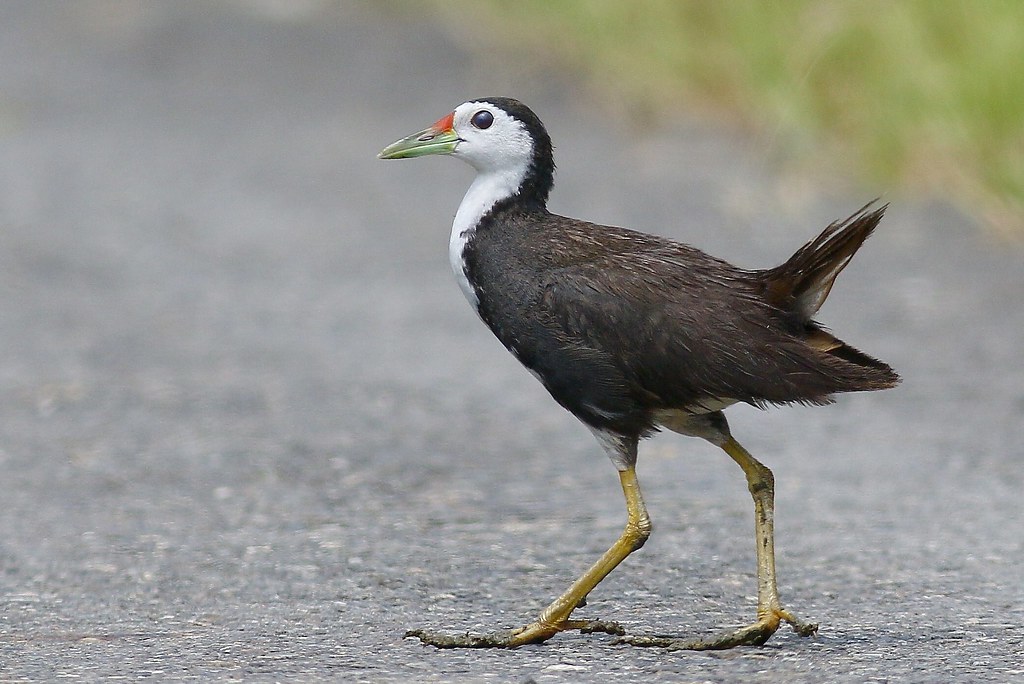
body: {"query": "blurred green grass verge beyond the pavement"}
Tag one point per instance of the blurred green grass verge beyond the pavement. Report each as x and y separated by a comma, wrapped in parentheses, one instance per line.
(924, 97)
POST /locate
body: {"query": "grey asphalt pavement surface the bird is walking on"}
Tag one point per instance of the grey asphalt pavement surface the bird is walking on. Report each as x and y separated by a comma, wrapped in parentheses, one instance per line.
(249, 429)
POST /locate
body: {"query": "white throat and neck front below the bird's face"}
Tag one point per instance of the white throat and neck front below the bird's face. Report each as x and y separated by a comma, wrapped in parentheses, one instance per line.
(489, 188)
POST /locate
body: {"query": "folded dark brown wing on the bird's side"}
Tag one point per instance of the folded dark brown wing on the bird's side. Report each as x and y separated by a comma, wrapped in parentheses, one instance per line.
(685, 328)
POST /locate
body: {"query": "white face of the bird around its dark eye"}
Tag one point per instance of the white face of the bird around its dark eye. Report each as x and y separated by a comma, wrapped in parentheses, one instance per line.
(491, 140)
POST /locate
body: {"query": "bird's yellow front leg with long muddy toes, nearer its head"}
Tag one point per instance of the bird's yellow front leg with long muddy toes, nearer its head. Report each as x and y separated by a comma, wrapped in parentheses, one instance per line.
(556, 618)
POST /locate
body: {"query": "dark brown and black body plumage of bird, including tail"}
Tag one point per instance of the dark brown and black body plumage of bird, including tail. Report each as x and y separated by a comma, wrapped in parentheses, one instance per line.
(620, 325)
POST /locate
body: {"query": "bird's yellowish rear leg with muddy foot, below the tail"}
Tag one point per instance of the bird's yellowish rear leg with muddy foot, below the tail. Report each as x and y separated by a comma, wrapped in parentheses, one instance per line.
(771, 613)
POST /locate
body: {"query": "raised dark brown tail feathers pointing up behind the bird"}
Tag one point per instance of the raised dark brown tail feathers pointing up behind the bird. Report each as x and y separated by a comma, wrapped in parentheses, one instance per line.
(802, 284)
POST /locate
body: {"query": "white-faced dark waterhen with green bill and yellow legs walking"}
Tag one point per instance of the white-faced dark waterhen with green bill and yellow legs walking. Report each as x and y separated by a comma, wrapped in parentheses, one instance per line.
(634, 333)
